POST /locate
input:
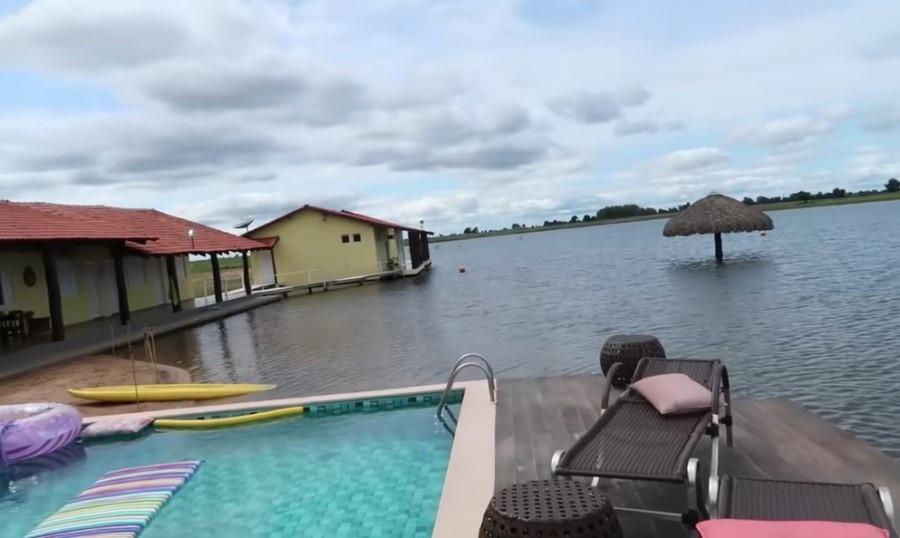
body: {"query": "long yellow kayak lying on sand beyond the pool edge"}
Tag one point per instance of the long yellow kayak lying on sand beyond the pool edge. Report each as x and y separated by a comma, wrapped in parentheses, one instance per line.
(166, 392)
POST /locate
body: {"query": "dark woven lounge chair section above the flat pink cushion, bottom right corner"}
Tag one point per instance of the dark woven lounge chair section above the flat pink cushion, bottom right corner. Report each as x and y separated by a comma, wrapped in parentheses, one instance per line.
(762, 499)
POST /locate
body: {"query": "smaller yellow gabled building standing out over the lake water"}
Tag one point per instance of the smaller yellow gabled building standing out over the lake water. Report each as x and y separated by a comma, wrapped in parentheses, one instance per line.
(312, 245)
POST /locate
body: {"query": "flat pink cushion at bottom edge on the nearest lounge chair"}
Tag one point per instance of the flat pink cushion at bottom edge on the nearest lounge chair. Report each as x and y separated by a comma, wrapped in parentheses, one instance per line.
(743, 528)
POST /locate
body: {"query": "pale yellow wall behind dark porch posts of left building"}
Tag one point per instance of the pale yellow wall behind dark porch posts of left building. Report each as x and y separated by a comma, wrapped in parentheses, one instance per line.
(87, 283)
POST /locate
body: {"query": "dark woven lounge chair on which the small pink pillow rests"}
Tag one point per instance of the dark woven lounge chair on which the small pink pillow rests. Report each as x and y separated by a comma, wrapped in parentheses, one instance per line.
(632, 440)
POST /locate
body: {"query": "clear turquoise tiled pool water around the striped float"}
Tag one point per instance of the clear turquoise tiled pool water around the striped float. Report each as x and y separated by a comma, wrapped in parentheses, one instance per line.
(358, 474)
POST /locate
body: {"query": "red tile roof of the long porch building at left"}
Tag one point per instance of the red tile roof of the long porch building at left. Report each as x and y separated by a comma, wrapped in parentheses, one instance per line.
(146, 230)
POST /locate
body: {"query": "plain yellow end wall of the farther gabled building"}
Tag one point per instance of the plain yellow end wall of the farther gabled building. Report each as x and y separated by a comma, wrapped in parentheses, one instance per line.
(309, 248)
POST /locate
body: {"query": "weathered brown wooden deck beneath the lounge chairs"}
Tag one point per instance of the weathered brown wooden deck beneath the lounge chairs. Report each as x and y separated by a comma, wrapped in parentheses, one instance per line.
(773, 439)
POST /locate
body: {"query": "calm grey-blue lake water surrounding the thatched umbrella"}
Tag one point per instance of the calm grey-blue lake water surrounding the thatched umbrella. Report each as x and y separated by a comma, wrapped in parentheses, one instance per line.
(810, 312)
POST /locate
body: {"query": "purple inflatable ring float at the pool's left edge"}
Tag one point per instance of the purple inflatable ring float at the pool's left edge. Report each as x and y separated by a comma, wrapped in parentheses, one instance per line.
(31, 430)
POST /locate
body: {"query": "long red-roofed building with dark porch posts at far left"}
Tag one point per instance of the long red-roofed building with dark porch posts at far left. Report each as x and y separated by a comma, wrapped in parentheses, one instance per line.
(66, 264)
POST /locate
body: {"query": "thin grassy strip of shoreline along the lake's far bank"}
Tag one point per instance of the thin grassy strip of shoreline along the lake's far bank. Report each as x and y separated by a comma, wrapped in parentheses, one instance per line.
(778, 206)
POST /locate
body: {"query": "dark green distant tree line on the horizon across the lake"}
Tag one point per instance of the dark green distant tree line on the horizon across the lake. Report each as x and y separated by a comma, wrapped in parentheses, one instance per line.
(634, 210)
